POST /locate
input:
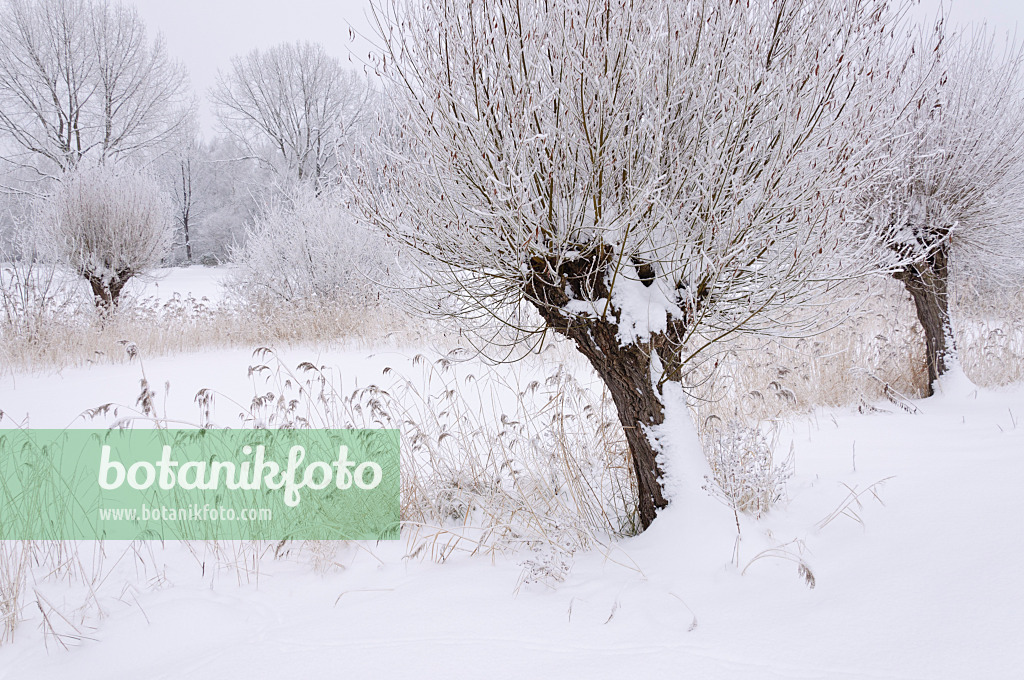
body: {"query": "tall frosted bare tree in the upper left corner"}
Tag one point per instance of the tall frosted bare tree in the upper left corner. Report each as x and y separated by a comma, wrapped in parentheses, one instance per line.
(80, 79)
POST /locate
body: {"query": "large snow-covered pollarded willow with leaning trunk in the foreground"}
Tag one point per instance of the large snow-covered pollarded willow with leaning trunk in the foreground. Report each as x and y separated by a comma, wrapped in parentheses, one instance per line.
(650, 176)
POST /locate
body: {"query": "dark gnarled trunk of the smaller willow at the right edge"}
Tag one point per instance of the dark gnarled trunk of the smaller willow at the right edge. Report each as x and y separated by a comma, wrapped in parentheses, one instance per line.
(928, 283)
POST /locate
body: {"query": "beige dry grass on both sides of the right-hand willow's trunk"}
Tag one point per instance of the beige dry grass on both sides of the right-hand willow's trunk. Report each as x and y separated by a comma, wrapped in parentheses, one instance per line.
(876, 355)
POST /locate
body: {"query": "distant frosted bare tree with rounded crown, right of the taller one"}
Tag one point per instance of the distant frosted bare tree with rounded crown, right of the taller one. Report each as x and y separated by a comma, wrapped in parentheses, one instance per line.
(294, 103)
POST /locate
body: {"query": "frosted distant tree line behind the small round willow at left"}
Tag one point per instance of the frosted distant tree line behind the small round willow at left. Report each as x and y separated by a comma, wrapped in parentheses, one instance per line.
(84, 87)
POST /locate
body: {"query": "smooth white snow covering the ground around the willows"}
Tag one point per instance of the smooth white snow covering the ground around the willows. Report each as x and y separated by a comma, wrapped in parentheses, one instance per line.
(905, 525)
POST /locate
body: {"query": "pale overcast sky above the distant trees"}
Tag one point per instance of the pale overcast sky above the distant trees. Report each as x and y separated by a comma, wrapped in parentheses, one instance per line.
(205, 34)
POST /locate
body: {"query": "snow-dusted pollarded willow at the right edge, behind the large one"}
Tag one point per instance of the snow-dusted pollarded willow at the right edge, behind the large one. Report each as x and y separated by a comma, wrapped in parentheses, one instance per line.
(952, 184)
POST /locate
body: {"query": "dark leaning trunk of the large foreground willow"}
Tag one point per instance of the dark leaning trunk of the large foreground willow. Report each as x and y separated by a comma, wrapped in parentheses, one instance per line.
(625, 369)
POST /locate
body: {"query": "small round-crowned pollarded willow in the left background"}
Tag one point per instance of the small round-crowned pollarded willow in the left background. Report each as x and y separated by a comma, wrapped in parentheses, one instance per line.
(107, 225)
